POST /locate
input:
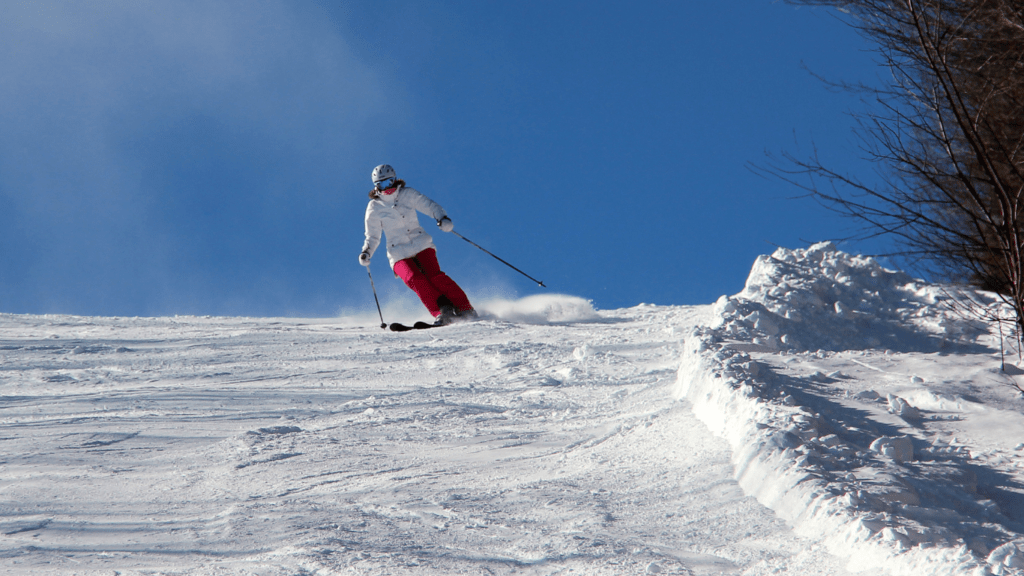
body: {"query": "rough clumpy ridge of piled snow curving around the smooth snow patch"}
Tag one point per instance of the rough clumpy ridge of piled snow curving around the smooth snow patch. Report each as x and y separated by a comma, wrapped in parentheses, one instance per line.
(867, 499)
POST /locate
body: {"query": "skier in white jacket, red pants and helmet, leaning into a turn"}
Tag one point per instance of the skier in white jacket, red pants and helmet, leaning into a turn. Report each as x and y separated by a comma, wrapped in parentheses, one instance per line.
(410, 250)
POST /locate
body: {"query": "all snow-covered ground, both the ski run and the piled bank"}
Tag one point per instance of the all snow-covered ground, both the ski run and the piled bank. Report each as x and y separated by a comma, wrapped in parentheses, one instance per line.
(834, 418)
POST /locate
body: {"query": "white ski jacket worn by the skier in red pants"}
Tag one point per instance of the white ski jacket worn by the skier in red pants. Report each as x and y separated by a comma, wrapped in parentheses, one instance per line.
(395, 216)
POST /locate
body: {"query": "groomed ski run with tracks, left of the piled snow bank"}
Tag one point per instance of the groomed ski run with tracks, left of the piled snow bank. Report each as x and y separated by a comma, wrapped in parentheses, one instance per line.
(271, 446)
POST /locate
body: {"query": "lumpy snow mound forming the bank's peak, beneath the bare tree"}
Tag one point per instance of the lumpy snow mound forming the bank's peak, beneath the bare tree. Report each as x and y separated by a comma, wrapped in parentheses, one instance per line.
(822, 299)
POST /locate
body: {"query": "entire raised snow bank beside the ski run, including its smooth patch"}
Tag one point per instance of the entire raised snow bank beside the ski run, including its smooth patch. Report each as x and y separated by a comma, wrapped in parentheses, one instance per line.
(869, 412)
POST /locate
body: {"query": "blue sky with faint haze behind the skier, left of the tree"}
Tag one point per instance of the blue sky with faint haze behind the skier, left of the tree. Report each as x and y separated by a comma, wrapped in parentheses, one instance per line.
(214, 158)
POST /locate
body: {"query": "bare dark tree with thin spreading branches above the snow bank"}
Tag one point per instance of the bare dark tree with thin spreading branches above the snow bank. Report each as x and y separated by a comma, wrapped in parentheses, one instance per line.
(948, 135)
